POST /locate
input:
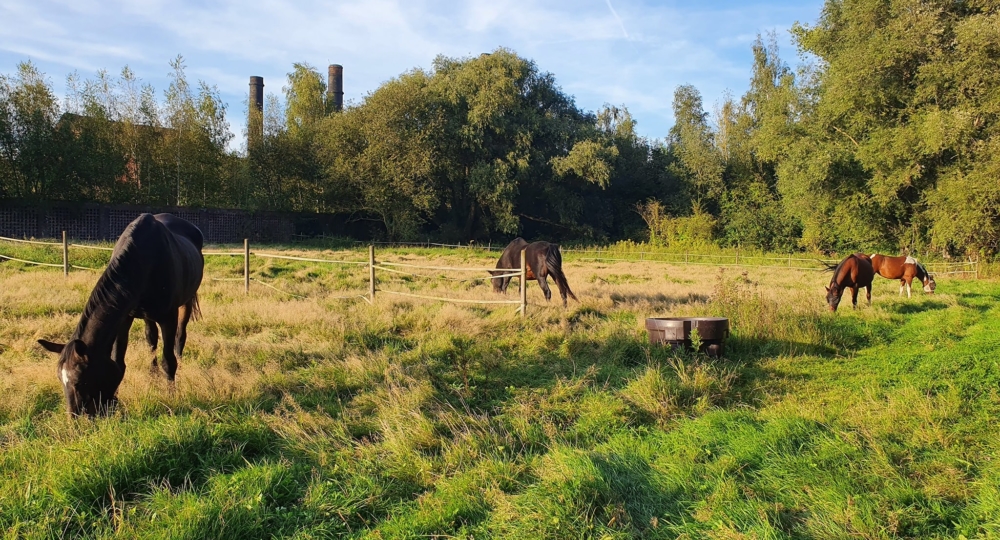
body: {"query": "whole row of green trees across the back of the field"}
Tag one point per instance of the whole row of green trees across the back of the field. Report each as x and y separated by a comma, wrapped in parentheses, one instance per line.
(885, 137)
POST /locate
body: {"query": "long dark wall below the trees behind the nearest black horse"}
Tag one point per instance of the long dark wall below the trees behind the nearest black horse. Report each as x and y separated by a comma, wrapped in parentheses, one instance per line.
(85, 221)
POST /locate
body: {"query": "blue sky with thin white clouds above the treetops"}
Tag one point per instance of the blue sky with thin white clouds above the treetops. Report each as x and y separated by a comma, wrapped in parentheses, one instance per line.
(623, 52)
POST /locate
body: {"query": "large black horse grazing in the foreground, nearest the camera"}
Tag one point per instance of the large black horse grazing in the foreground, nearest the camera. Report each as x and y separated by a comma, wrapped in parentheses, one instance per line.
(154, 274)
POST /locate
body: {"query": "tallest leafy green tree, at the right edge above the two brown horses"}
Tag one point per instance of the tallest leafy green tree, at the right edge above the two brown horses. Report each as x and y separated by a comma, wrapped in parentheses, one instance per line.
(908, 90)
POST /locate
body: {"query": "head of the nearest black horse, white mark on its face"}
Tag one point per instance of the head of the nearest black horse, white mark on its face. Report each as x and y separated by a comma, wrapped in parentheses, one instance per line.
(89, 383)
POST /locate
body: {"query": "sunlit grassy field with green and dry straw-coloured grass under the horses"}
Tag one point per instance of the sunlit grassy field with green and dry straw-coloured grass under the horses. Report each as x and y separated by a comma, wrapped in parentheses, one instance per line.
(310, 416)
